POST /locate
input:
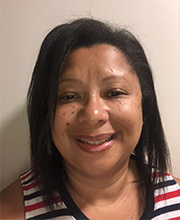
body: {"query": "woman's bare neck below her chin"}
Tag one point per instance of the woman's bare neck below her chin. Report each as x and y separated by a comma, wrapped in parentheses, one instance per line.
(101, 190)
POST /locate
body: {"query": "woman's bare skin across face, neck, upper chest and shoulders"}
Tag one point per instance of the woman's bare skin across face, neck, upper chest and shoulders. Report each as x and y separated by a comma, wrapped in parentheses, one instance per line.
(103, 180)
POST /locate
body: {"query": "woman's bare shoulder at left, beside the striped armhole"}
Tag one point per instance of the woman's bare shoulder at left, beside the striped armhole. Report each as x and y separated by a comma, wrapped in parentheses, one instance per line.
(11, 202)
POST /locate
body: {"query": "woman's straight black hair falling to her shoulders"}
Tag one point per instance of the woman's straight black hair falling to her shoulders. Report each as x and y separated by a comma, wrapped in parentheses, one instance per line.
(43, 95)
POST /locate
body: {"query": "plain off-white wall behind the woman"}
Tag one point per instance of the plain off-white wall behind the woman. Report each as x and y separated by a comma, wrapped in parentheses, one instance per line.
(24, 24)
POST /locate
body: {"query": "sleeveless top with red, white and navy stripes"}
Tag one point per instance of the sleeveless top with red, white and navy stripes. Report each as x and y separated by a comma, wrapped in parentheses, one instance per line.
(165, 204)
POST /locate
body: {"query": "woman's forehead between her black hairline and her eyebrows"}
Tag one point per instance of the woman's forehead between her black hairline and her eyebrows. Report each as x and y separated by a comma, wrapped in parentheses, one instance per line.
(97, 56)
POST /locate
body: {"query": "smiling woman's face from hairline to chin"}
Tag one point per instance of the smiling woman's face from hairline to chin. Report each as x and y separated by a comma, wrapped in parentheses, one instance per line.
(98, 119)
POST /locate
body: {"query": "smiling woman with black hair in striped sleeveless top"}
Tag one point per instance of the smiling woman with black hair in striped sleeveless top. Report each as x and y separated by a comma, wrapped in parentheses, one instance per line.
(97, 142)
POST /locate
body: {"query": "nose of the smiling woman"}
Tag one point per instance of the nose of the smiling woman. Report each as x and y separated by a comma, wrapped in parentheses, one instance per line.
(93, 112)
